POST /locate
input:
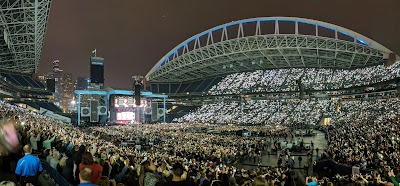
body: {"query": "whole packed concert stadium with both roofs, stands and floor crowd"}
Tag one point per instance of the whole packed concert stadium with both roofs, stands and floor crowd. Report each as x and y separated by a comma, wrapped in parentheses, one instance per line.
(260, 101)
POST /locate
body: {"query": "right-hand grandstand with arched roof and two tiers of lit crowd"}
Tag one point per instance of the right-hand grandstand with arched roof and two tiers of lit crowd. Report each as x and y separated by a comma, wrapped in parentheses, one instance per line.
(242, 68)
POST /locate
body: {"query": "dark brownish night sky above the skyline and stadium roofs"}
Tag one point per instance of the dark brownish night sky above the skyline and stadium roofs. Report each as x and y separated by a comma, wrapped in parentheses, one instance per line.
(132, 35)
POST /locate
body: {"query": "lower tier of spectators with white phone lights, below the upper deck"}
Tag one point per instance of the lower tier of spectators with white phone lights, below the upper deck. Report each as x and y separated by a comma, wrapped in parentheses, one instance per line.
(262, 112)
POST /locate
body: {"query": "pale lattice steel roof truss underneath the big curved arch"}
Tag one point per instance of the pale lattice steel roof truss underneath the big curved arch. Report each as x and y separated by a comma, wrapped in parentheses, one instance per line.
(267, 52)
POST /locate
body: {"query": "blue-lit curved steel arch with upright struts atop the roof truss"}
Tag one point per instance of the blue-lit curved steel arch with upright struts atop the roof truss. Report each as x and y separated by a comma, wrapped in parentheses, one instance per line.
(183, 48)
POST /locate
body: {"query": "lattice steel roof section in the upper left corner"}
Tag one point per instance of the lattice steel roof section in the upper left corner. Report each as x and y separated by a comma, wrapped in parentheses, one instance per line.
(22, 29)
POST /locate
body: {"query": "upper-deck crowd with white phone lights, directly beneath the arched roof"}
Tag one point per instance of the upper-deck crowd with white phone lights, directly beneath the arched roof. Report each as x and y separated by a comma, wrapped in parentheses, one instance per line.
(277, 80)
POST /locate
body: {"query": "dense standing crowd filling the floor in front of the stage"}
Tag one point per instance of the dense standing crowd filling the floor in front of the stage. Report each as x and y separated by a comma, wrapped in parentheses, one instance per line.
(162, 154)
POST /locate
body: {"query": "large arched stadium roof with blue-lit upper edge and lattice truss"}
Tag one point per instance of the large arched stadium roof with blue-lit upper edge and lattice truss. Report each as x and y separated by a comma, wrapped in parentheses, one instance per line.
(267, 43)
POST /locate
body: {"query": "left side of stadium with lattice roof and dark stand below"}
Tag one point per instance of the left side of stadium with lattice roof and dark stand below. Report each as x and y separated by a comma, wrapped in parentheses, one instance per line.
(23, 26)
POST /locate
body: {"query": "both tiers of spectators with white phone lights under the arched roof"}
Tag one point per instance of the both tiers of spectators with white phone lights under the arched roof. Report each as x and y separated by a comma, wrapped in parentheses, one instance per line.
(285, 111)
